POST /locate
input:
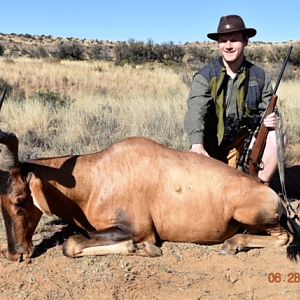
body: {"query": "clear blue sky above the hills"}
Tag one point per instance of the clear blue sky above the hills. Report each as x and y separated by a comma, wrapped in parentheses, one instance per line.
(161, 20)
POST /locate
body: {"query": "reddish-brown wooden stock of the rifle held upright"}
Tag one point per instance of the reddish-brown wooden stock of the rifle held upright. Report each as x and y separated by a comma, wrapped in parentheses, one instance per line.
(260, 142)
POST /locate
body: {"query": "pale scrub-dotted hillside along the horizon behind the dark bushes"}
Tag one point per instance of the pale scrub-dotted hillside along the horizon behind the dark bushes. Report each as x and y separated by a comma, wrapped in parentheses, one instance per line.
(16, 45)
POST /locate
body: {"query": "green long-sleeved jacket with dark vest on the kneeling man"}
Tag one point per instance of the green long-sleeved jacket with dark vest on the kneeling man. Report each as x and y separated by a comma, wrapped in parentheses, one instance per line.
(215, 98)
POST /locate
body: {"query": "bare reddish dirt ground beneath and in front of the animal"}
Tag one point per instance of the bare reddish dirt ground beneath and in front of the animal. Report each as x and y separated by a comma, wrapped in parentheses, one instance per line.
(185, 271)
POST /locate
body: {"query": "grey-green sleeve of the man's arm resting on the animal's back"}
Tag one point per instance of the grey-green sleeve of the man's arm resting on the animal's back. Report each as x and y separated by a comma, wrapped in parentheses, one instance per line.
(198, 101)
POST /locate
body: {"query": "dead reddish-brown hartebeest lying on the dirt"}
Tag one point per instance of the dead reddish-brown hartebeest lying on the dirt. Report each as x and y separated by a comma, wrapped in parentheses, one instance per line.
(132, 195)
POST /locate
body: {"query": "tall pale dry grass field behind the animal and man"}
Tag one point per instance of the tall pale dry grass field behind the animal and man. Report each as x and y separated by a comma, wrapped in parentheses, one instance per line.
(110, 103)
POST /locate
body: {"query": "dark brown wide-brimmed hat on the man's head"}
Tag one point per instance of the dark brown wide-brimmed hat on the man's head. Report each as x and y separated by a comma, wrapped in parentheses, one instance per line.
(231, 23)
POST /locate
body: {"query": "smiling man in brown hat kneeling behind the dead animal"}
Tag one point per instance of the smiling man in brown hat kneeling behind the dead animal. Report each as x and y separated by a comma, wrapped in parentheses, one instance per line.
(228, 94)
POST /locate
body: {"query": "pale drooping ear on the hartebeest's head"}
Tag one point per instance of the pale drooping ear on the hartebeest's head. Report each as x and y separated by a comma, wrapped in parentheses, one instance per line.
(37, 193)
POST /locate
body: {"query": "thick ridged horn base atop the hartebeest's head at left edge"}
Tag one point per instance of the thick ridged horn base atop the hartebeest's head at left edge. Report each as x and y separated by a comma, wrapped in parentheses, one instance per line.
(9, 151)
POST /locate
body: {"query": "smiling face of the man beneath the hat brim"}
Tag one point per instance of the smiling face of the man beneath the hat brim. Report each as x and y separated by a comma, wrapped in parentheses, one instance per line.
(232, 45)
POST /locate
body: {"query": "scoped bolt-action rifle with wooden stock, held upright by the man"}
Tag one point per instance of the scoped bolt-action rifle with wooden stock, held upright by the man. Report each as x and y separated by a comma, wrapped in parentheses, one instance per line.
(250, 160)
